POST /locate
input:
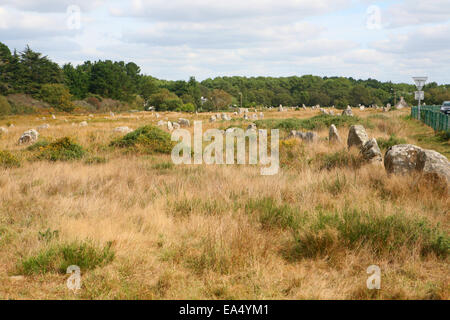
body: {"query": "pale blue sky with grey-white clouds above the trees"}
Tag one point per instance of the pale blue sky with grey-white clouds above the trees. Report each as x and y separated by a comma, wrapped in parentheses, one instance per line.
(387, 40)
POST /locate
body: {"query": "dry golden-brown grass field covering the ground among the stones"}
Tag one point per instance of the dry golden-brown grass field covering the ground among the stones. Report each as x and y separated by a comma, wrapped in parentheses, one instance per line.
(142, 228)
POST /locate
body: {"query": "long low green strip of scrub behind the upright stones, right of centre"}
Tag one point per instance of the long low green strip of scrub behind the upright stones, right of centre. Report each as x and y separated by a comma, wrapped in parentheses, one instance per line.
(317, 122)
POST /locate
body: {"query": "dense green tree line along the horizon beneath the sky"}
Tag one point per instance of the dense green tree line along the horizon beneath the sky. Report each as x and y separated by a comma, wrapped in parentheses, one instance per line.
(32, 73)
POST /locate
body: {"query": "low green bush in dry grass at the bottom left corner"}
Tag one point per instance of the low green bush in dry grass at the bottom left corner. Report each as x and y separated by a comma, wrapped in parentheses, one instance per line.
(57, 258)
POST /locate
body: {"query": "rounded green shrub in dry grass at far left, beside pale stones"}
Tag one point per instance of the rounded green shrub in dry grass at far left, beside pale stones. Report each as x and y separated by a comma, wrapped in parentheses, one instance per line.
(63, 149)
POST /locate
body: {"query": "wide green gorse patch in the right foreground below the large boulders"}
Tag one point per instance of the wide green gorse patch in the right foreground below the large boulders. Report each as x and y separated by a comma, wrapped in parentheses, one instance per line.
(324, 232)
